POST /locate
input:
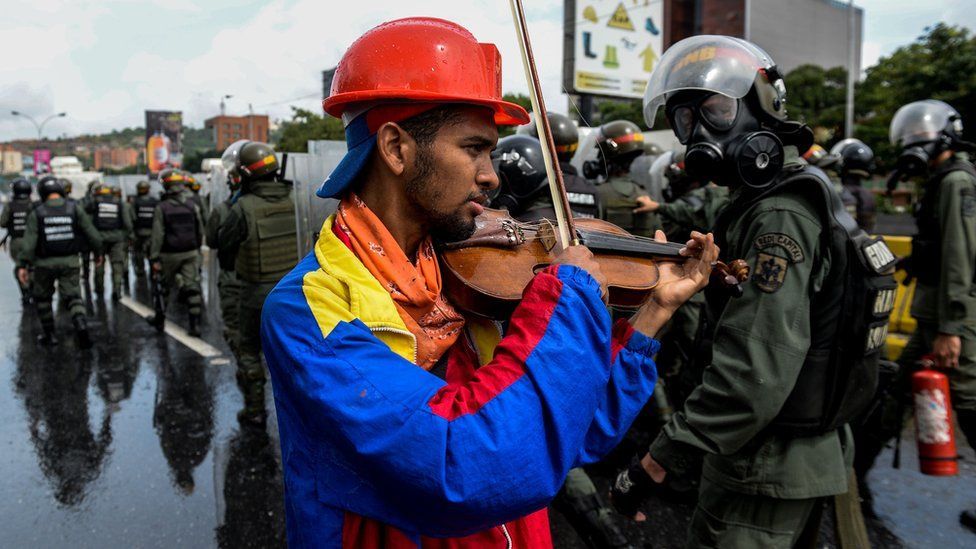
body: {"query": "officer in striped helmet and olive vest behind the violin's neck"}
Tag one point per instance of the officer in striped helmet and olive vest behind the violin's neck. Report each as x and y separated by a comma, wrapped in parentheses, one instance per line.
(624, 201)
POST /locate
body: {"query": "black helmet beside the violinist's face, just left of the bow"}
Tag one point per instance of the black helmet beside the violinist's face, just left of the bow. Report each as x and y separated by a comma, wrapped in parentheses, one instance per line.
(521, 171)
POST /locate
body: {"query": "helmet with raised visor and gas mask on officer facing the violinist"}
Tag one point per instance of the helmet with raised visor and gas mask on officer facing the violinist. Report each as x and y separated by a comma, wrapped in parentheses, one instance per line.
(725, 99)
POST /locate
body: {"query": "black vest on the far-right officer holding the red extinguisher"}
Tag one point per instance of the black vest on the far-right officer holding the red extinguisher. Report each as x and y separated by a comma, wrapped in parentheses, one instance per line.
(926, 260)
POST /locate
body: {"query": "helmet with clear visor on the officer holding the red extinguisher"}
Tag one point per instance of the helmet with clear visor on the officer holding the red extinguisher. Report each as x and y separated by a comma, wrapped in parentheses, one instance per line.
(923, 130)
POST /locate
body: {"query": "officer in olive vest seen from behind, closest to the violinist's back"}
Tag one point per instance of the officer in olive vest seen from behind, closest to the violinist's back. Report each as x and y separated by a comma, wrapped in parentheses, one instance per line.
(260, 227)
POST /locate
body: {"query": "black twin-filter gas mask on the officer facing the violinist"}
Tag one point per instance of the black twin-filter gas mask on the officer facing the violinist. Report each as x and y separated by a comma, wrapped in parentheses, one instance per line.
(726, 143)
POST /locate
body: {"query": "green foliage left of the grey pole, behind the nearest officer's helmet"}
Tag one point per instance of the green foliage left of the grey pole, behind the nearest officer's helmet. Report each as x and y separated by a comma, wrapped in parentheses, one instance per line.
(816, 97)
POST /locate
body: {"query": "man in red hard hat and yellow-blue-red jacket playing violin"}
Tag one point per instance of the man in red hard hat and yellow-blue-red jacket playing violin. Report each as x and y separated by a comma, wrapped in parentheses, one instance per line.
(403, 422)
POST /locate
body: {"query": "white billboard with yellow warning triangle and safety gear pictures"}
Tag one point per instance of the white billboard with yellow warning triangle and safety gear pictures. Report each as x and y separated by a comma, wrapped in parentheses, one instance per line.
(611, 46)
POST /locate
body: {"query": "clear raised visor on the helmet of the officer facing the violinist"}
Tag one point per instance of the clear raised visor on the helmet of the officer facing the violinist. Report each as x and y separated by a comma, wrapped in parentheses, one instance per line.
(720, 64)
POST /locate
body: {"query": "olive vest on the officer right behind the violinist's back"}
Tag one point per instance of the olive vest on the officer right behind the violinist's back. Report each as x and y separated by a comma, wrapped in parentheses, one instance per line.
(271, 248)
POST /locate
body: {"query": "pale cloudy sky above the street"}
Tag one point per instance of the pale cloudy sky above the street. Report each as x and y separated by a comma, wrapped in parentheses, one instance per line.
(105, 62)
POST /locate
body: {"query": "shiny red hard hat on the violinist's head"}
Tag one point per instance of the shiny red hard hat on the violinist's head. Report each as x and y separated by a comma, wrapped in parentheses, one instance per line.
(421, 59)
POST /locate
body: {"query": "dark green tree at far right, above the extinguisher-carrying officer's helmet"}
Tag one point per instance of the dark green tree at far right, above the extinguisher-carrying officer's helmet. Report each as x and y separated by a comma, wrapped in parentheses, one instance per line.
(940, 64)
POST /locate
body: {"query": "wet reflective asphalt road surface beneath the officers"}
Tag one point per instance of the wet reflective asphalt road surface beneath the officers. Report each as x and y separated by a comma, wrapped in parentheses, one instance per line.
(135, 443)
